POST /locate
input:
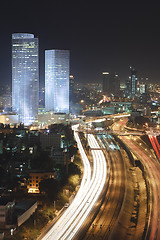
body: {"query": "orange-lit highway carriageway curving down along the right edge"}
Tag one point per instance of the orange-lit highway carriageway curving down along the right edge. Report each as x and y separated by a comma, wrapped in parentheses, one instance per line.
(153, 170)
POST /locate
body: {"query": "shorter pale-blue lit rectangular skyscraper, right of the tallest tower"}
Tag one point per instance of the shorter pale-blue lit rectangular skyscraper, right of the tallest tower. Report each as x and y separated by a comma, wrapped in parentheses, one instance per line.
(57, 81)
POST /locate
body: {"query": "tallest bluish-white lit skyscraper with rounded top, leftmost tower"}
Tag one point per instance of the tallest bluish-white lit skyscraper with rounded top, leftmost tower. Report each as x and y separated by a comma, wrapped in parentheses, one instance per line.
(25, 77)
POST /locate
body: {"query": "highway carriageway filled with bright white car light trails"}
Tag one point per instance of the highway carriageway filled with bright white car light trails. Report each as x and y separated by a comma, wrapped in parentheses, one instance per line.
(69, 224)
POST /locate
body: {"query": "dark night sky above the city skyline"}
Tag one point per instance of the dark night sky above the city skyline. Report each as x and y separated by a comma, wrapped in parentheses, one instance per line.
(101, 35)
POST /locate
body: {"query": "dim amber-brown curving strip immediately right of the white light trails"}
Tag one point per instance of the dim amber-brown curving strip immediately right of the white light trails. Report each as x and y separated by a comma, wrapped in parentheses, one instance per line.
(110, 209)
